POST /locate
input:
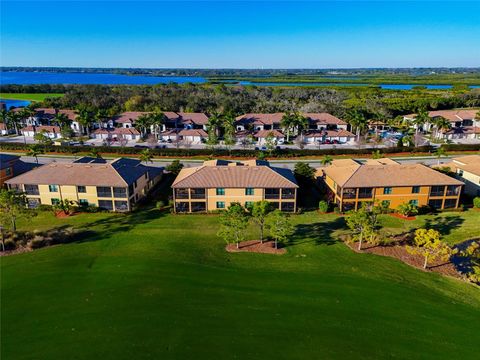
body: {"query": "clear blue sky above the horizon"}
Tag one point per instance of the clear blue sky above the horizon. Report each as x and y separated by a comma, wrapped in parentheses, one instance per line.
(205, 34)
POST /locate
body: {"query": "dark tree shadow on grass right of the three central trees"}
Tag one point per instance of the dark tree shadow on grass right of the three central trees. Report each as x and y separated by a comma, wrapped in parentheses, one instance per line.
(320, 233)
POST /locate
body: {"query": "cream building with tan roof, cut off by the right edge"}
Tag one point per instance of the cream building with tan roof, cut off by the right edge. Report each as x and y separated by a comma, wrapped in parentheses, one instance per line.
(467, 169)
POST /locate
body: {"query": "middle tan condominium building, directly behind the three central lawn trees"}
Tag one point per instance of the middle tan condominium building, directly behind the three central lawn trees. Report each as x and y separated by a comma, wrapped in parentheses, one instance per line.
(218, 183)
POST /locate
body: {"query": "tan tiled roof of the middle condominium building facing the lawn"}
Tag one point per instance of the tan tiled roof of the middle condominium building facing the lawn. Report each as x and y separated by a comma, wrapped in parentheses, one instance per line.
(234, 175)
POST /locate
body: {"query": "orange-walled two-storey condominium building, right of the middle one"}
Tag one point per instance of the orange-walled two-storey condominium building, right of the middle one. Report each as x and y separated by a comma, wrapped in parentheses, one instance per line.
(350, 183)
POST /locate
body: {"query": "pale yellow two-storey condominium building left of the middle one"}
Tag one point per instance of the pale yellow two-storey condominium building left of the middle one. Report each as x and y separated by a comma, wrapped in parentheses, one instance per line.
(113, 186)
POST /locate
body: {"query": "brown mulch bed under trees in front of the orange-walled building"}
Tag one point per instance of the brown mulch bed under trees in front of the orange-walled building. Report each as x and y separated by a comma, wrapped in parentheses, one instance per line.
(400, 252)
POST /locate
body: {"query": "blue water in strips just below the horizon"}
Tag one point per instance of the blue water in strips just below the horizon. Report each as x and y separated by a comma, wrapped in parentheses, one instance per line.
(25, 78)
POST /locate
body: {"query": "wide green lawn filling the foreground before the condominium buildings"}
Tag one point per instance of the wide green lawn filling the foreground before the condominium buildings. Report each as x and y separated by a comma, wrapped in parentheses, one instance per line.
(152, 285)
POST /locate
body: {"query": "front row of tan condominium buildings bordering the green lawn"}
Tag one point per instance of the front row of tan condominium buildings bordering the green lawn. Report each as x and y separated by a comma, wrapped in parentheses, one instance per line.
(117, 185)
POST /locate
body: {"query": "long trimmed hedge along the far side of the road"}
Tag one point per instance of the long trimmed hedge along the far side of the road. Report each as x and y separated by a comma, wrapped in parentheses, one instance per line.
(278, 153)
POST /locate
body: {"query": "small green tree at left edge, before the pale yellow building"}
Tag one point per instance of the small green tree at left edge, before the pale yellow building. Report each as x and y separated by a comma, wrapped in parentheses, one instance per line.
(13, 205)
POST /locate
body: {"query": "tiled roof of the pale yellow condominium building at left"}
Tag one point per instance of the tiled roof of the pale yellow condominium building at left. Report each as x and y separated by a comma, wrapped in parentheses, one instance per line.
(119, 172)
